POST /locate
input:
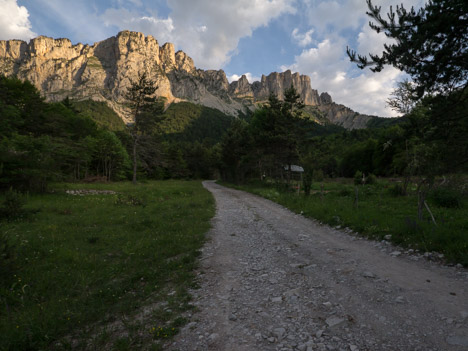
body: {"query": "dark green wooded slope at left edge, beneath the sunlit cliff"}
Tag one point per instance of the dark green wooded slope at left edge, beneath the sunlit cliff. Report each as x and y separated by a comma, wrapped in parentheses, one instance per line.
(43, 142)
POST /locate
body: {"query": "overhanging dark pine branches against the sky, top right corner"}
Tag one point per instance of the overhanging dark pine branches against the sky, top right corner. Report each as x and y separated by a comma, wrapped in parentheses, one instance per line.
(431, 44)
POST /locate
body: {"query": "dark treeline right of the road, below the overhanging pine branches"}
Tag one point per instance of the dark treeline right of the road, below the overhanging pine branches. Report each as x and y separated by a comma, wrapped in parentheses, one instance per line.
(428, 141)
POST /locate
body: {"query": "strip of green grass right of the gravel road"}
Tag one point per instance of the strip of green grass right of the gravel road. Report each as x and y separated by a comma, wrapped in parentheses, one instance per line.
(379, 213)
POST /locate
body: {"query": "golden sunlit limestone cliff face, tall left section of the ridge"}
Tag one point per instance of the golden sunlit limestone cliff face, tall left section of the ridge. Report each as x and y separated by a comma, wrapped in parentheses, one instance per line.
(101, 72)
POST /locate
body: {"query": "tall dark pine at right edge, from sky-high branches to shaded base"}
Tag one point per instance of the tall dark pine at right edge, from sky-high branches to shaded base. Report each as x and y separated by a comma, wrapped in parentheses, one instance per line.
(431, 45)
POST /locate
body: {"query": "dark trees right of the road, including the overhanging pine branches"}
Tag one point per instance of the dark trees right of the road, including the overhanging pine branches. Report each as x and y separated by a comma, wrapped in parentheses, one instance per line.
(430, 47)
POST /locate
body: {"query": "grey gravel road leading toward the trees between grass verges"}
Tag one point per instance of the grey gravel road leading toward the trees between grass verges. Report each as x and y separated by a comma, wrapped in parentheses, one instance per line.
(274, 280)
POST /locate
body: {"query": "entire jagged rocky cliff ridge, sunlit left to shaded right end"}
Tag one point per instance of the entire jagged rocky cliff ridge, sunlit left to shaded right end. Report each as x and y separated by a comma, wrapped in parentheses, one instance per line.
(104, 71)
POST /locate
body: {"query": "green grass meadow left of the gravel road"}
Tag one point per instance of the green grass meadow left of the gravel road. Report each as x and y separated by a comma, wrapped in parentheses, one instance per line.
(101, 271)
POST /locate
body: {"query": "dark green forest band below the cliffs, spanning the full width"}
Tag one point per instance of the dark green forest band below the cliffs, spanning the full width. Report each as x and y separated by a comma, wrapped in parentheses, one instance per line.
(85, 141)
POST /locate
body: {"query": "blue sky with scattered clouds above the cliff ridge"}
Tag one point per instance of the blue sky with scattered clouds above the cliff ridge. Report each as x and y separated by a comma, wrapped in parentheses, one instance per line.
(251, 37)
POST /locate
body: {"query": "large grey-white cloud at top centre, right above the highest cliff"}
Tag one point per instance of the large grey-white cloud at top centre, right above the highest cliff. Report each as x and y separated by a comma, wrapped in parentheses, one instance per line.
(208, 33)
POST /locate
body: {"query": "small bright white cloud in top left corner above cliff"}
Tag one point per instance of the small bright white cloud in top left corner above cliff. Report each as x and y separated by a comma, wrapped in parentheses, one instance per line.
(14, 21)
